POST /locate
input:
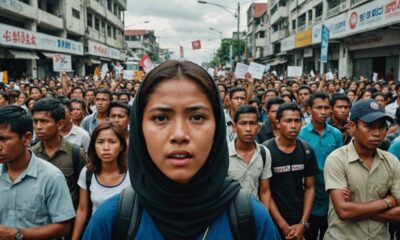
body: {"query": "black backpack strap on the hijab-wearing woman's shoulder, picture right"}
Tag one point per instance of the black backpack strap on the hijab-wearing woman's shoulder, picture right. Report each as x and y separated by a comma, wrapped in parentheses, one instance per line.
(241, 217)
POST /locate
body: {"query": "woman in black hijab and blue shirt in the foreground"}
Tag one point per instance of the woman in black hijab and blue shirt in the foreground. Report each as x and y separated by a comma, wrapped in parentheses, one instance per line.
(178, 161)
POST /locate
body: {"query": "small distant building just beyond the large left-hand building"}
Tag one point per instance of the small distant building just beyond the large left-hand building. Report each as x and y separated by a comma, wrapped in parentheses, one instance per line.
(140, 42)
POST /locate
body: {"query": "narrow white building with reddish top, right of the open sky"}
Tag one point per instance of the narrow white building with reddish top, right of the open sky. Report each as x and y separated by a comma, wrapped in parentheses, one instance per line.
(257, 32)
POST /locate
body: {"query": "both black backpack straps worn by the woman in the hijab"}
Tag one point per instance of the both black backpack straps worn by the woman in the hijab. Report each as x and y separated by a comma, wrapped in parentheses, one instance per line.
(127, 221)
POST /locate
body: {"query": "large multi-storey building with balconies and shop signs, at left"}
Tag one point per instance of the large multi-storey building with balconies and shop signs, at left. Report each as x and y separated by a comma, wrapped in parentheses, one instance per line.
(32, 31)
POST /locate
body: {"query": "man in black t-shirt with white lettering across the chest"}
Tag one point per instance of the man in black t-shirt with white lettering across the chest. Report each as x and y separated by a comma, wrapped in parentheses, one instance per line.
(294, 167)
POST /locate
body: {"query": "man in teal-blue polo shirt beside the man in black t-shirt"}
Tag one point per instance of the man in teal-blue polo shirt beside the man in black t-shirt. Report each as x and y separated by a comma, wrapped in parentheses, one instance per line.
(323, 139)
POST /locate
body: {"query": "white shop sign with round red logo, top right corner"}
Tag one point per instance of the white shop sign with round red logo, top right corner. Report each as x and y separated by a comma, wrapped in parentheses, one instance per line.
(373, 15)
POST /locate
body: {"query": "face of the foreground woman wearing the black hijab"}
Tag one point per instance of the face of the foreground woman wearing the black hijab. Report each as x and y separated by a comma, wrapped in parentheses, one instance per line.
(178, 127)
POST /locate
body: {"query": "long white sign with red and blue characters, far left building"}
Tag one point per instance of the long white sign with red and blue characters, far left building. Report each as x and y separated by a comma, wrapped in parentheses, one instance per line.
(22, 38)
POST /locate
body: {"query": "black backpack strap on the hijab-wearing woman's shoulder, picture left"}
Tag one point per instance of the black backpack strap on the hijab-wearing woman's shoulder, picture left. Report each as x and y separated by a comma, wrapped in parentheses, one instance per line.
(128, 216)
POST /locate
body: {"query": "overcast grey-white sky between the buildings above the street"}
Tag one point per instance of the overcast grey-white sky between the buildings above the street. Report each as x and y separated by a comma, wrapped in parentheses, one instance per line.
(179, 22)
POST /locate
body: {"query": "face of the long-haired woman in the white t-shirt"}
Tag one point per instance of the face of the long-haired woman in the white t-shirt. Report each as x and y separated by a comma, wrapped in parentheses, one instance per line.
(107, 145)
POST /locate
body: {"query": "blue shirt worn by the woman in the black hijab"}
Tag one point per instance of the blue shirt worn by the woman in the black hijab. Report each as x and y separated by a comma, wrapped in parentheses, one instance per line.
(100, 225)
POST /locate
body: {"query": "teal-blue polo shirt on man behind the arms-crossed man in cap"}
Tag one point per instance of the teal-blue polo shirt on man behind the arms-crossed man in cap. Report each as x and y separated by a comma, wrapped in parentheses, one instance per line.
(323, 145)
